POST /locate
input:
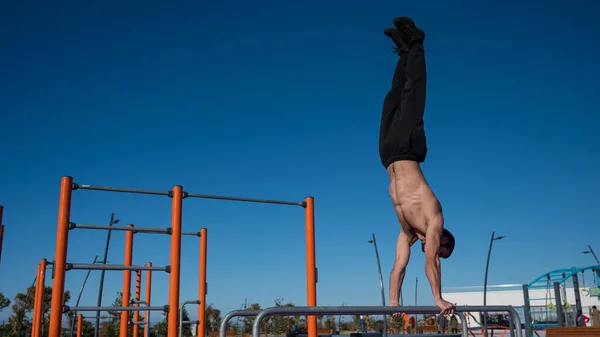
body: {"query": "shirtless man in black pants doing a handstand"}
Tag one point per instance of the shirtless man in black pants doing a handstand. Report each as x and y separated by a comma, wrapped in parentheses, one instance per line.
(402, 147)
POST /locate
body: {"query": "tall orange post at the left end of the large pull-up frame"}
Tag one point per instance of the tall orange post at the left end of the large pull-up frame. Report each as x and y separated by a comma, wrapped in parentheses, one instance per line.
(60, 256)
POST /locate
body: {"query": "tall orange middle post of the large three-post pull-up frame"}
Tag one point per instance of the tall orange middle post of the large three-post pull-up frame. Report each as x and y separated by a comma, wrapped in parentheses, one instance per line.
(174, 278)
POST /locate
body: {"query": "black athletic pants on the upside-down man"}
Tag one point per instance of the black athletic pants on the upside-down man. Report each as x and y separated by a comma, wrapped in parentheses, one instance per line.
(402, 133)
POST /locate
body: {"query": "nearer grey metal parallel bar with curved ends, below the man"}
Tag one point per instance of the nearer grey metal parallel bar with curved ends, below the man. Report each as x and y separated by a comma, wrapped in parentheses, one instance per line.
(374, 310)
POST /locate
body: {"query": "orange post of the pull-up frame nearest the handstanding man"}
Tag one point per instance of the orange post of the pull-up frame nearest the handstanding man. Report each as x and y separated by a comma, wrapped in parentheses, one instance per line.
(311, 268)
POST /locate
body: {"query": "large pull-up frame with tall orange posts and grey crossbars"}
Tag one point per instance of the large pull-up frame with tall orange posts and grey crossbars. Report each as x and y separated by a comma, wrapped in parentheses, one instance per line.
(177, 195)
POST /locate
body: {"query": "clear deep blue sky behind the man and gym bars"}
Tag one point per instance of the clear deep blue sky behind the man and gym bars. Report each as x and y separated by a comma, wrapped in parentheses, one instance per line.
(282, 100)
